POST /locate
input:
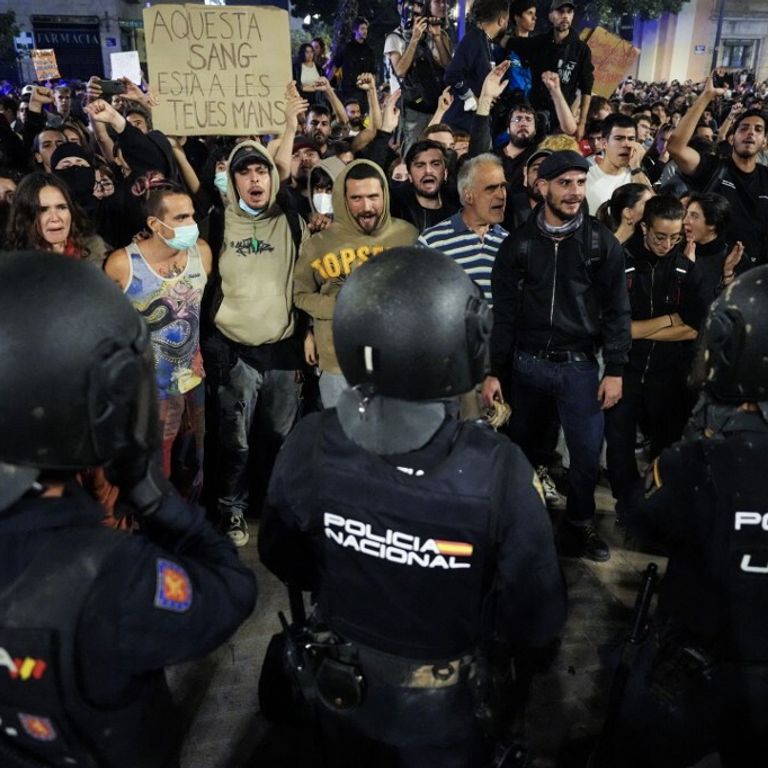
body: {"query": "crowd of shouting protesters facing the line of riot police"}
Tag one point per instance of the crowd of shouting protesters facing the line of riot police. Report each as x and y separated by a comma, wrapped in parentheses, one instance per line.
(234, 248)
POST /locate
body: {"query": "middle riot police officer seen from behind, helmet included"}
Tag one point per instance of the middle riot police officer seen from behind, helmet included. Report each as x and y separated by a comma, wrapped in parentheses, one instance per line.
(425, 539)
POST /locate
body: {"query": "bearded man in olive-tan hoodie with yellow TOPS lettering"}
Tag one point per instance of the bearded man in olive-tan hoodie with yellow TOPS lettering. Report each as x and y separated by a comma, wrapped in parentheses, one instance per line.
(362, 227)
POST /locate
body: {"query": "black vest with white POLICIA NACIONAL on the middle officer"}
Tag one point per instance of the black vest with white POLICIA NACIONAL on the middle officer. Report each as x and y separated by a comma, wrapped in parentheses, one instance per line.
(406, 556)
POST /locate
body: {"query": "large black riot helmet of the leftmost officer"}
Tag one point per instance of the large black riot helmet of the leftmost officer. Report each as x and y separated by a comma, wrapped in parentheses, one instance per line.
(77, 379)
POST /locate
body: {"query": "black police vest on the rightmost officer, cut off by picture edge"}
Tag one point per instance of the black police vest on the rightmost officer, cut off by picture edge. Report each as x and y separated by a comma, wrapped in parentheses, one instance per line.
(734, 615)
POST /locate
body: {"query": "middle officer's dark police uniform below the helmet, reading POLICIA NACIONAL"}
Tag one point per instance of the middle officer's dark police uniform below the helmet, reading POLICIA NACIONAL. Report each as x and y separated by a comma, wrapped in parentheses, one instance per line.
(417, 562)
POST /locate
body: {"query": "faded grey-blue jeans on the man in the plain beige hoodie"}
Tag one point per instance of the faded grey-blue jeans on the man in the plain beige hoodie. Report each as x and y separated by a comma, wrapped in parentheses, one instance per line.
(277, 395)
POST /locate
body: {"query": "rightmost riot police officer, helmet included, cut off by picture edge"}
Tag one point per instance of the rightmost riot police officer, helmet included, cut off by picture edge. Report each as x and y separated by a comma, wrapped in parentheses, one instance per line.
(702, 685)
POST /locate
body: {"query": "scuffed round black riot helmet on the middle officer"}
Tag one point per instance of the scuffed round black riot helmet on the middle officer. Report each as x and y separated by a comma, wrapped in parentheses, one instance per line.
(410, 324)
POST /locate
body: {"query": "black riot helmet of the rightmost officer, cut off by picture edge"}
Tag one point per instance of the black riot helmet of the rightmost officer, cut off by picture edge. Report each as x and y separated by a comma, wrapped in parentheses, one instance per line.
(733, 350)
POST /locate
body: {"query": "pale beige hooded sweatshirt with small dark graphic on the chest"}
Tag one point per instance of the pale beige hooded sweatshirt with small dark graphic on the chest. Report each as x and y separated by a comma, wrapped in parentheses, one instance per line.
(256, 264)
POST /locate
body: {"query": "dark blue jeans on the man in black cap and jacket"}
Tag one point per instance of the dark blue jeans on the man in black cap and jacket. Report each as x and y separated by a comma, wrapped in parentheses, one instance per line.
(573, 386)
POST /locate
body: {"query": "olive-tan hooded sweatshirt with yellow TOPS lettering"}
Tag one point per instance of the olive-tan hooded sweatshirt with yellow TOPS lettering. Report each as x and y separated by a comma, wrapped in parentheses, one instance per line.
(328, 257)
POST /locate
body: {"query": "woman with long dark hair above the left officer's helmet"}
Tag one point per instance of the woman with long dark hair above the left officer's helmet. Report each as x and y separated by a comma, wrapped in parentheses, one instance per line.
(45, 217)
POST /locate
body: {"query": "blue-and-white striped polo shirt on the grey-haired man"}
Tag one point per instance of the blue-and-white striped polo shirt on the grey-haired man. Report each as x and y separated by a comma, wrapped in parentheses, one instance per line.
(475, 256)
